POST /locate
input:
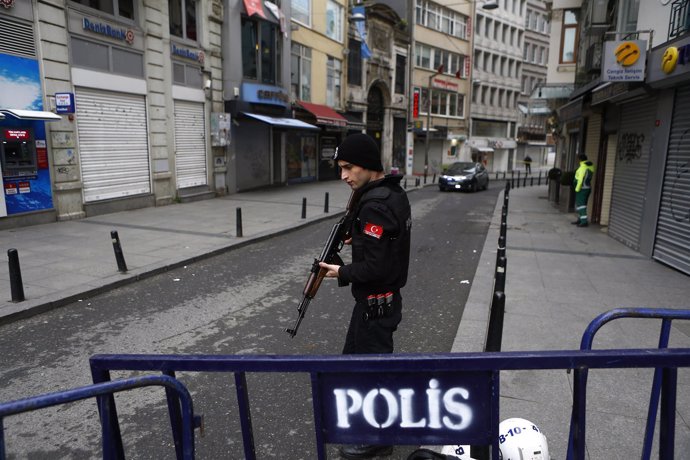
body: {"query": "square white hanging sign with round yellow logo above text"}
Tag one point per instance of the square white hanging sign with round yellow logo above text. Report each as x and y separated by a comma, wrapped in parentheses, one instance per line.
(624, 60)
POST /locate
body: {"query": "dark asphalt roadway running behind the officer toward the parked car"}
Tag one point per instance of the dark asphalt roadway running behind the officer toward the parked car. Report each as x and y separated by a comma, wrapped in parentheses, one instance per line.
(237, 303)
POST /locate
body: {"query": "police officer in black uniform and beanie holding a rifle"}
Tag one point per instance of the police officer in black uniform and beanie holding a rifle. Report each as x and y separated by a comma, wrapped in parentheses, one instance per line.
(380, 256)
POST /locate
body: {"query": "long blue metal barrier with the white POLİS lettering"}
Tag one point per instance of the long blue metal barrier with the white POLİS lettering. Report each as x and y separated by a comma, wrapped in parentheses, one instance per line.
(338, 382)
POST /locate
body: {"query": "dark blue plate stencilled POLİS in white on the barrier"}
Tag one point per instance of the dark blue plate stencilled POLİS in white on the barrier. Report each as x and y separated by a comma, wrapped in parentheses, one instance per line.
(440, 407)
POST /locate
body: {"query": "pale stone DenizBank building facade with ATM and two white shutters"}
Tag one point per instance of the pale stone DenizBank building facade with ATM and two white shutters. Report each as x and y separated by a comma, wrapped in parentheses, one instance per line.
(135, 85)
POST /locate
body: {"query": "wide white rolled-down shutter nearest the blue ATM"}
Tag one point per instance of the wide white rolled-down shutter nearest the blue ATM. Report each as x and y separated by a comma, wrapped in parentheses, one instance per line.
(113, 144)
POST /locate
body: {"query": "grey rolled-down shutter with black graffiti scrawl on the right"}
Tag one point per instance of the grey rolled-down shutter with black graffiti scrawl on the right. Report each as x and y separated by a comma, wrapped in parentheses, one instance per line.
(630, 176)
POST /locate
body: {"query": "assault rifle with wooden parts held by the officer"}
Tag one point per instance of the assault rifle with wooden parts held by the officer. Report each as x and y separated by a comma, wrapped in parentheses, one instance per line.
(330, 255)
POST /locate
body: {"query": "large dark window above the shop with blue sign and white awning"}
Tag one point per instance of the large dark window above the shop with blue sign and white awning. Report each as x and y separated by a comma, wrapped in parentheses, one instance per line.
(261, 51)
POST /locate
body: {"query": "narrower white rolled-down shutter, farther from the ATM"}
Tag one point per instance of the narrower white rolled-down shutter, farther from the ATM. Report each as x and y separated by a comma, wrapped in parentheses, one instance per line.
(190, 144)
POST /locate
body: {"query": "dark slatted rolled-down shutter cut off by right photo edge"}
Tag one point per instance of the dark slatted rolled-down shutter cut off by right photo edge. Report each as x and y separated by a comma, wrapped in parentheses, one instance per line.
(672, 243)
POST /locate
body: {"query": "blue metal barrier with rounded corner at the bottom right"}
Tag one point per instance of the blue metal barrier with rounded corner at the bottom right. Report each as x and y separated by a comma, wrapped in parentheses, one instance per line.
(664, 383)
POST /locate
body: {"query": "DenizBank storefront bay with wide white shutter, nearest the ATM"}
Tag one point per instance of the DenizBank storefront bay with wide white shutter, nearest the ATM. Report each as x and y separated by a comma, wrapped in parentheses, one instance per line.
(111, 109)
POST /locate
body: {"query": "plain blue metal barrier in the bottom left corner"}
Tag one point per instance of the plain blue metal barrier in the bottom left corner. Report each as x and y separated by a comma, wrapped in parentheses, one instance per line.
(110, 437)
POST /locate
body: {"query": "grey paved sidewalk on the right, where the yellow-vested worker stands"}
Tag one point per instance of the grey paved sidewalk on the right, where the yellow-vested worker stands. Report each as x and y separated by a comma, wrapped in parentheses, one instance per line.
(560, 277)
